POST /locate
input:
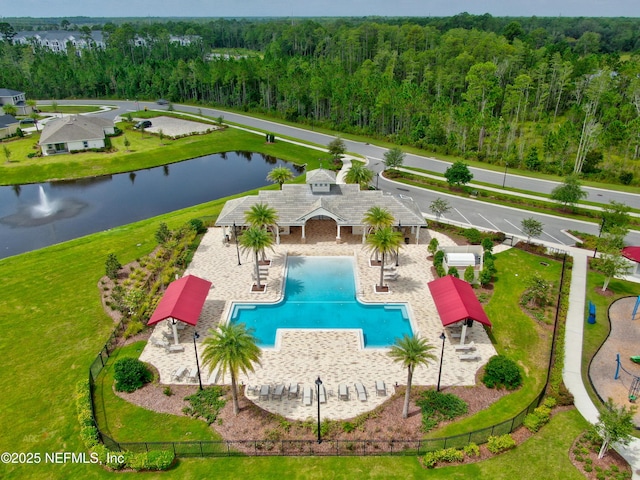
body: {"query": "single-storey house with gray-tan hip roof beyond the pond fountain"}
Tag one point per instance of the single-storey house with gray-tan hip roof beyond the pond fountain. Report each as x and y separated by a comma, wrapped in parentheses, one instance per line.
(75, 133)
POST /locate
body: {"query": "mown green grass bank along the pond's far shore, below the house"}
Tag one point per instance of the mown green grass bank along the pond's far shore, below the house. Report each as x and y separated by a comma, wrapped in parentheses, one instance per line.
(146, 151)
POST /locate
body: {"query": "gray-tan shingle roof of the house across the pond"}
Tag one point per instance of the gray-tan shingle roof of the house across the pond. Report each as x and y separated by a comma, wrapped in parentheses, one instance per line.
(74, 128)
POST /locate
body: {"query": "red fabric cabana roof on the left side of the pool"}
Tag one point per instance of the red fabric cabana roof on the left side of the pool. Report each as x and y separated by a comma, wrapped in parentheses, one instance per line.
(182, 301)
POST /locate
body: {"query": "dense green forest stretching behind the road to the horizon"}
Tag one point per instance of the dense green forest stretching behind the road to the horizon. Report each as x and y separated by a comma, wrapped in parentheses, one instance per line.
(555, 95)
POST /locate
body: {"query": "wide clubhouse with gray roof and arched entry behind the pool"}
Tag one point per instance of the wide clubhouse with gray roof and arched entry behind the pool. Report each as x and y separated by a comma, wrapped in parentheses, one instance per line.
(321, 198)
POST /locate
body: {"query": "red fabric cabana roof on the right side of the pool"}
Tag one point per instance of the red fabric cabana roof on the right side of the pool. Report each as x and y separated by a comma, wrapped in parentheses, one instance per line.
(455, 301)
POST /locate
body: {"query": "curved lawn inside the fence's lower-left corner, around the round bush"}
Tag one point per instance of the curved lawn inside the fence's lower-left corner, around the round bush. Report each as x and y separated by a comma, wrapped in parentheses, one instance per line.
(124, 422)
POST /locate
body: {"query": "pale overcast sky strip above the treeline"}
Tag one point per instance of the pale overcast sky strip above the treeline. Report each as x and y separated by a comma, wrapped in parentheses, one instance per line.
(302, 8)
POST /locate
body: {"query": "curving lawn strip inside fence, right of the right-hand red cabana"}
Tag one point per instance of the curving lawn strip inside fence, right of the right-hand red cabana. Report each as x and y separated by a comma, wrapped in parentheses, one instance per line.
(515, 335)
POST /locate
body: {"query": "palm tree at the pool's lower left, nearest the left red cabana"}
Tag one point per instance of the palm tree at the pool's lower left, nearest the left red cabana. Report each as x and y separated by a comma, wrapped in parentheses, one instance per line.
(233, 349)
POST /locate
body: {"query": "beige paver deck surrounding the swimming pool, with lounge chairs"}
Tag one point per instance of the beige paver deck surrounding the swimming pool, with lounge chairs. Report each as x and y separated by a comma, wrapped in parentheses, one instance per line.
(303, 355)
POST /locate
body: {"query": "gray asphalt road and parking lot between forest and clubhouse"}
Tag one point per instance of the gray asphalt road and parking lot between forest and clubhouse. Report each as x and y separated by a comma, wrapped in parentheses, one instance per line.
(465, 211)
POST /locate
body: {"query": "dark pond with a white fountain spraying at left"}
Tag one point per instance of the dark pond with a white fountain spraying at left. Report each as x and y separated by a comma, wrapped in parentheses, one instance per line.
(37, 215)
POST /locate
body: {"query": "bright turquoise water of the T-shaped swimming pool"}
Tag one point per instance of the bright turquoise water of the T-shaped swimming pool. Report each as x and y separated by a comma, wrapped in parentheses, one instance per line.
(320, 293)
